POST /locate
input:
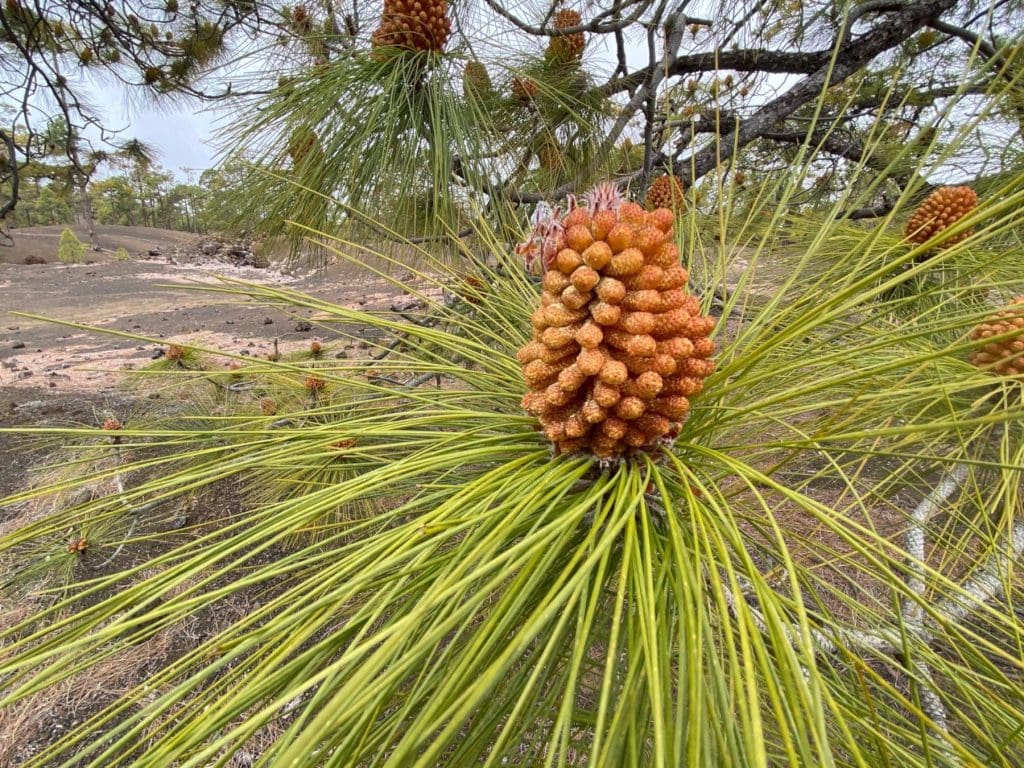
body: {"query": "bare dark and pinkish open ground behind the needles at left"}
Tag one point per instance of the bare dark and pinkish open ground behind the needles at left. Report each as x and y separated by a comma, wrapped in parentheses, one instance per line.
(54, 374)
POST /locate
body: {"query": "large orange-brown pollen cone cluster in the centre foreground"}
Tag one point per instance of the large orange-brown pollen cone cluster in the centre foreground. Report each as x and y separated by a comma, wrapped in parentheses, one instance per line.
(619, 347)
